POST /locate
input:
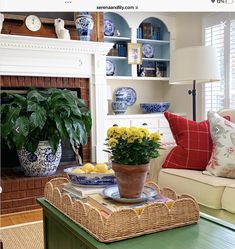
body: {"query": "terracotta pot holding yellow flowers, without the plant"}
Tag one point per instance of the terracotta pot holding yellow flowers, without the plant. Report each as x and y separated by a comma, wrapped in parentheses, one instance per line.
(130, 179)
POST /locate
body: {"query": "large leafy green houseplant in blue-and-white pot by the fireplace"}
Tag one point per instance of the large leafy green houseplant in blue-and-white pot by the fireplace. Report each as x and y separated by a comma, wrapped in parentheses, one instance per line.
(43, 118)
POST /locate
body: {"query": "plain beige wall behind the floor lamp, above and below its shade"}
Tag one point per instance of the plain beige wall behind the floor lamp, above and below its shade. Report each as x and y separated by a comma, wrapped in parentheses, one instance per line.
(188, 33)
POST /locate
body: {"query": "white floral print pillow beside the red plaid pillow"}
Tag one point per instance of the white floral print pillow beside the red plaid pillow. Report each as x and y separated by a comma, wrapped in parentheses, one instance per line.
(222, 161)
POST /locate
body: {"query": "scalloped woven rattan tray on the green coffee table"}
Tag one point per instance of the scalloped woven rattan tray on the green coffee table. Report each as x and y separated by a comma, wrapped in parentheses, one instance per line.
(125, 223)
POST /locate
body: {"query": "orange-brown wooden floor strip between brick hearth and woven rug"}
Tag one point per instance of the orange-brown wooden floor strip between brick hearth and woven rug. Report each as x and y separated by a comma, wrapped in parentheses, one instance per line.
(20, 217)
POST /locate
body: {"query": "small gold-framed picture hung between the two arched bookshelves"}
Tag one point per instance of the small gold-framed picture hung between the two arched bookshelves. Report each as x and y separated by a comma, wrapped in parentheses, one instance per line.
(134, 53)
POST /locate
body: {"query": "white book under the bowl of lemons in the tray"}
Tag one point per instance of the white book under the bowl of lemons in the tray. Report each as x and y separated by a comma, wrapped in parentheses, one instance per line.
(80, 192)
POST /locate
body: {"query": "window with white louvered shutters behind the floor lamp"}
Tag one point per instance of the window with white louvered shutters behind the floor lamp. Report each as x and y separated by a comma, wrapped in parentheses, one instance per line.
(219, 32)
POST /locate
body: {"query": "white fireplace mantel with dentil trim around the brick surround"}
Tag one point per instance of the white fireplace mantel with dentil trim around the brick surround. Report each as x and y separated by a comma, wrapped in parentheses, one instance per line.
(35, 56)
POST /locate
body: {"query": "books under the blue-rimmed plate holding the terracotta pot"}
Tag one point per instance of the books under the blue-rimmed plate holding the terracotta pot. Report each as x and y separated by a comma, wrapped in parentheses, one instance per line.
(108, 205)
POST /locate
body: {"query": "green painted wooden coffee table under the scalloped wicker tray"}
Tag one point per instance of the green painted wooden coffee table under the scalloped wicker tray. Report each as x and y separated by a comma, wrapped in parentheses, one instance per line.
(62, 233)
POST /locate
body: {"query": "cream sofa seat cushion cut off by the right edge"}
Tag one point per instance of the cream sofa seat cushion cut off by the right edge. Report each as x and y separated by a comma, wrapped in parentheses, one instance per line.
(228, 198)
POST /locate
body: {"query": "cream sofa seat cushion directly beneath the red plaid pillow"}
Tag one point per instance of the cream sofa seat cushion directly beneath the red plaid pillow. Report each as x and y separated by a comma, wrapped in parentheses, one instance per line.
(207, 190)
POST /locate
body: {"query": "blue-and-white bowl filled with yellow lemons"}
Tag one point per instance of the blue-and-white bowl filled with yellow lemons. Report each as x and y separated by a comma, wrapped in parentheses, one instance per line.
(91, 175)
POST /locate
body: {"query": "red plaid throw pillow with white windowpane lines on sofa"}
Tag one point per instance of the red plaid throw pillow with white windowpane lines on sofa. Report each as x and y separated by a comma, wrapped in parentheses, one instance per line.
(194, 144)
